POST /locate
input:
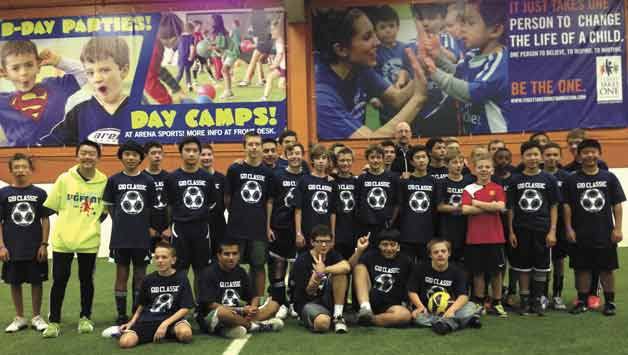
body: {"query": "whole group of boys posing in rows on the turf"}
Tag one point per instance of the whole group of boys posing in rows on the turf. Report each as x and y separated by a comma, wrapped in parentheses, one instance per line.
(392, 232)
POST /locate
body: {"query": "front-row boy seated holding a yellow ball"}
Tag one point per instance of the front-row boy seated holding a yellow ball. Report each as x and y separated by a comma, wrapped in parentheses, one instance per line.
(438, 292)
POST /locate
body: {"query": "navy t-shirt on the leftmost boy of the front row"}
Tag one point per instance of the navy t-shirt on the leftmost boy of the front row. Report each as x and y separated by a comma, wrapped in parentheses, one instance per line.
(163, 296)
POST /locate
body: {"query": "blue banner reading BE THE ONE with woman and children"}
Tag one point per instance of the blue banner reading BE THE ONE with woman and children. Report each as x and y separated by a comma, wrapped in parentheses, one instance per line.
(484, 66)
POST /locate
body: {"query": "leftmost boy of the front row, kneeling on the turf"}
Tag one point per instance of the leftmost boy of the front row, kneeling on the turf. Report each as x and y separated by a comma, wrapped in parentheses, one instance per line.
(165, 299)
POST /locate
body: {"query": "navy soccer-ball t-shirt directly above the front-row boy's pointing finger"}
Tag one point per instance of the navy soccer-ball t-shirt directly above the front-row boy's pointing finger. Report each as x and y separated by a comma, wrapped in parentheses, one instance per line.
(376, 197)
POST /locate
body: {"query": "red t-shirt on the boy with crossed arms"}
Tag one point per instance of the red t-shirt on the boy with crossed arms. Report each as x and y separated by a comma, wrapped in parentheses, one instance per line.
(485, 228)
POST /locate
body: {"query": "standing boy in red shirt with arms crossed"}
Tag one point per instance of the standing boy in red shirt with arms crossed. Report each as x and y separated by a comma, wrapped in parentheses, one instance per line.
(482, 201)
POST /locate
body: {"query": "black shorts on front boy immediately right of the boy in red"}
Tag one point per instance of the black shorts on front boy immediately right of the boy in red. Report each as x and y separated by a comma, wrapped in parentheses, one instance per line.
(531, 253)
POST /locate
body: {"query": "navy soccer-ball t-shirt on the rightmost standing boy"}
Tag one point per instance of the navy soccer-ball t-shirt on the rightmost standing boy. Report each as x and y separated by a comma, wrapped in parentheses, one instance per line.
(591, 198)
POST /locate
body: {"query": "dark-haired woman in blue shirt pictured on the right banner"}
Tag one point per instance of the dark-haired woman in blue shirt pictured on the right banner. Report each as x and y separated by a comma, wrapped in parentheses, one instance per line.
(345, 56)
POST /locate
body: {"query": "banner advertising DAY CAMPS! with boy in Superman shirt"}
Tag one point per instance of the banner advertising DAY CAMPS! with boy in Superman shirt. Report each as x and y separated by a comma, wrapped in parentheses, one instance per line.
(111, 78)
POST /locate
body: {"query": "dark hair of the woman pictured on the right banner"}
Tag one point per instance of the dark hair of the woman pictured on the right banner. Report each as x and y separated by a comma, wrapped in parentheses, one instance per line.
(331, 27)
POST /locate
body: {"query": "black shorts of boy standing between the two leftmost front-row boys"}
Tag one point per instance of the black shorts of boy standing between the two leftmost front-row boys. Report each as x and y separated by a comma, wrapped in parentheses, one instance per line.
(193, 245)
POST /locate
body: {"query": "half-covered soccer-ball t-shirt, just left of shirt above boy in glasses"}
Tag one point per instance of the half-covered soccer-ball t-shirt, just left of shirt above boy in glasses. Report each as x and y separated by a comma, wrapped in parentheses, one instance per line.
(283, 192)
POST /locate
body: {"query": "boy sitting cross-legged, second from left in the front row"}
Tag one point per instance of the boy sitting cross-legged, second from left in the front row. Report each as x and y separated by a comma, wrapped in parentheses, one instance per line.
(224, 292)
